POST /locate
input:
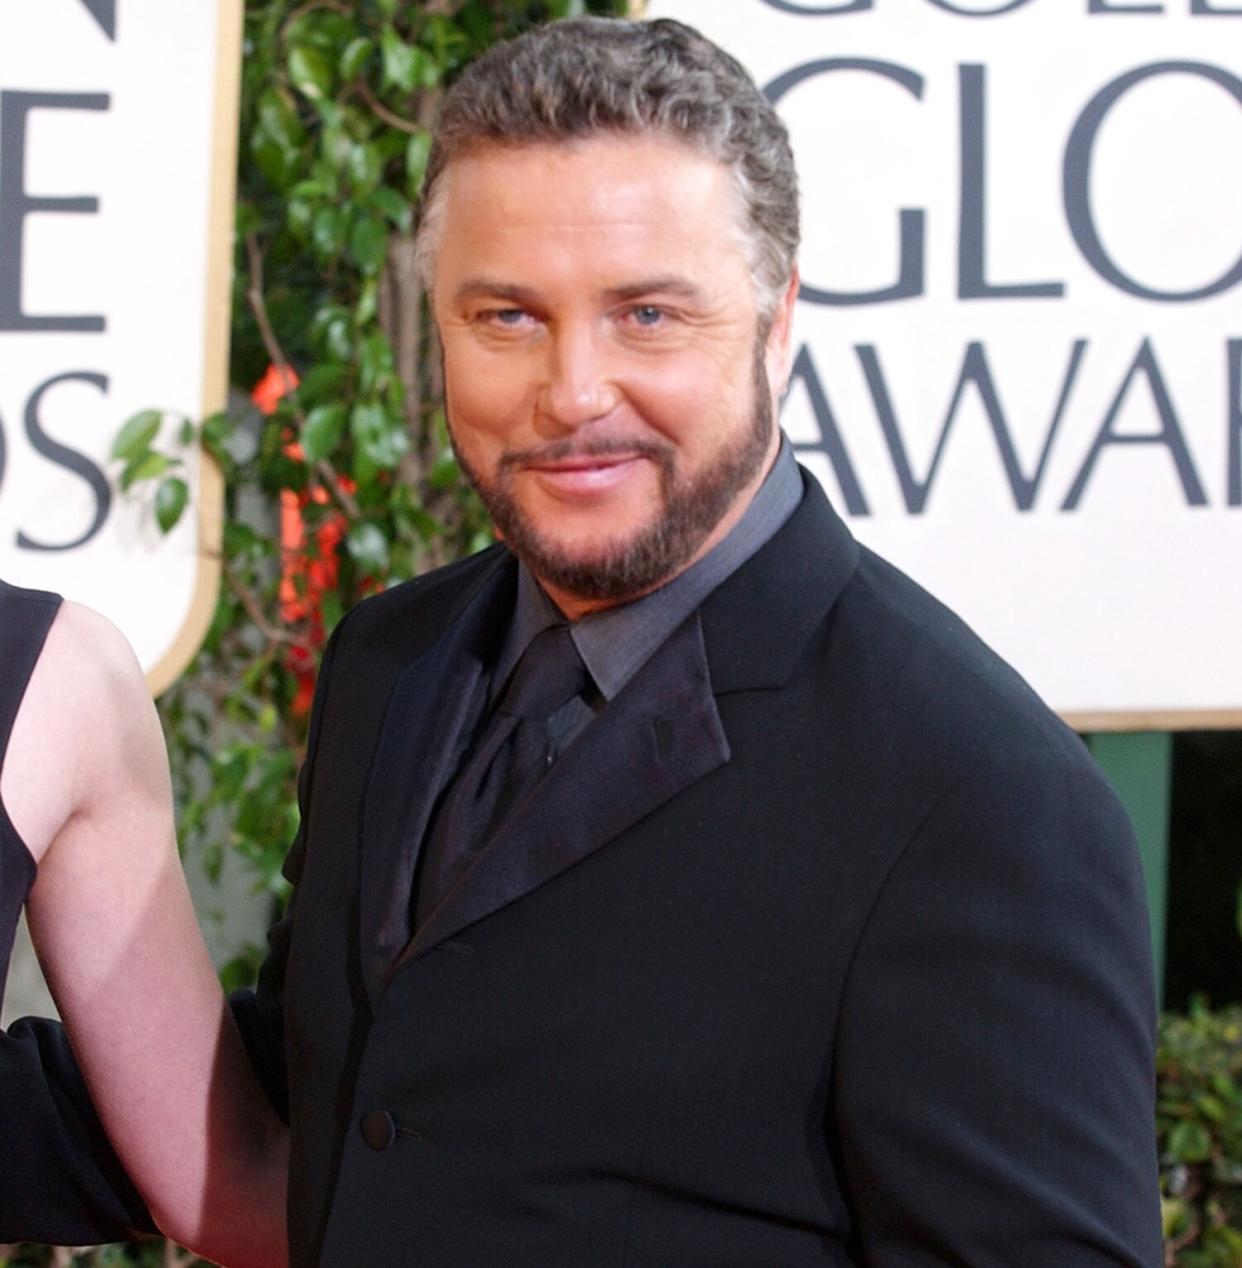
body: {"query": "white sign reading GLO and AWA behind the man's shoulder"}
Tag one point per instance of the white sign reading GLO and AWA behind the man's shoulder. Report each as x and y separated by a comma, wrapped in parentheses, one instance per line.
(1021, 337)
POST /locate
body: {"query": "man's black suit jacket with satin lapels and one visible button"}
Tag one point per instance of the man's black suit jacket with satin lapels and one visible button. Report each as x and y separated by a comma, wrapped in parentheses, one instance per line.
(825, 945)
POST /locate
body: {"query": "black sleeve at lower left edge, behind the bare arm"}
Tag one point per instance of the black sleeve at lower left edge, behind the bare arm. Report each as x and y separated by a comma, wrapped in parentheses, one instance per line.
(60, 1181)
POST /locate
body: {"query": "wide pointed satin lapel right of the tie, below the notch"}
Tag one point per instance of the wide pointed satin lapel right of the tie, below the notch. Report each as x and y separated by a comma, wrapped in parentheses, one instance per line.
(659, 736)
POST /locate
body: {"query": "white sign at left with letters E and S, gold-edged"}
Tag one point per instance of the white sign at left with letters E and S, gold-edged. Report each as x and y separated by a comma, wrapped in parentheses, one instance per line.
(117, 141)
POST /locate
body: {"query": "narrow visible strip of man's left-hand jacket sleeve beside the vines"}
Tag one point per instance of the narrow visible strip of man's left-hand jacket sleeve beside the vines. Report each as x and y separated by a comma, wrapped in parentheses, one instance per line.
(259, 1014)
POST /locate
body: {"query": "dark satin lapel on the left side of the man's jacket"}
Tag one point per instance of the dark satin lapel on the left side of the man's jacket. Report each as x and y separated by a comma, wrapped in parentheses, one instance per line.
(424, 718)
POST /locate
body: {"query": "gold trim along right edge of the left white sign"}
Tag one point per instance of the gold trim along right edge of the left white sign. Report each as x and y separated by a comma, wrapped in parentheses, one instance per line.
(210, 501)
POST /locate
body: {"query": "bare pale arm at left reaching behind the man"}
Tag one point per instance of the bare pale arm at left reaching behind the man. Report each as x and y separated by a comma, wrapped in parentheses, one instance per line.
(87, 786)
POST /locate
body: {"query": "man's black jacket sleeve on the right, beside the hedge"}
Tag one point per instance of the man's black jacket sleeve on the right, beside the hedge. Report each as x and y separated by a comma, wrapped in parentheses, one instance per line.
(995, 1094)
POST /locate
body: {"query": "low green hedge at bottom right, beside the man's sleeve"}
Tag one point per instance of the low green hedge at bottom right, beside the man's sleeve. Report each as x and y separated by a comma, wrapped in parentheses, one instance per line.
(1200, 1135)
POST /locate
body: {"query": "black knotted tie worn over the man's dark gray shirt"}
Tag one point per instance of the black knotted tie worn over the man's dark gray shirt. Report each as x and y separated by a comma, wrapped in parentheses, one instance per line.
(511, 758)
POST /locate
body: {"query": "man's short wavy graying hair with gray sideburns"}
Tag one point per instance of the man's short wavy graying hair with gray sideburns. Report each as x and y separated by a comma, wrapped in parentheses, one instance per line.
(584, 77)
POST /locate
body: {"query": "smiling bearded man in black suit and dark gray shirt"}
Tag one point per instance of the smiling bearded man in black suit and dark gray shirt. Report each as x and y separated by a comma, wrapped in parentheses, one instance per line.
(807, 936)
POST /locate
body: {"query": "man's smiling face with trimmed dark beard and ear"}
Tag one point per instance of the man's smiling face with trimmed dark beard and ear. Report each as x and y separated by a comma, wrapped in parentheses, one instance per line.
(606, 372)
